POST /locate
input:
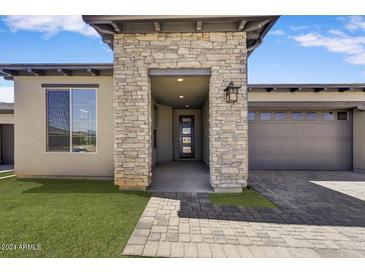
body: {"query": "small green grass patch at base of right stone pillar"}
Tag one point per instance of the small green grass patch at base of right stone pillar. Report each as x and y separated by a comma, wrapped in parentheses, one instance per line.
(249, 197)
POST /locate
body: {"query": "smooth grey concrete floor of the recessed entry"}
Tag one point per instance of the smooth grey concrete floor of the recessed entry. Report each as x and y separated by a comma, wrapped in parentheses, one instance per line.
(181, 176)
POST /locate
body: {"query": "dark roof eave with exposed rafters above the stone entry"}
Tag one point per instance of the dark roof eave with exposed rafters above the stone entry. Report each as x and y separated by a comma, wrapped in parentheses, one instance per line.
(254, 26)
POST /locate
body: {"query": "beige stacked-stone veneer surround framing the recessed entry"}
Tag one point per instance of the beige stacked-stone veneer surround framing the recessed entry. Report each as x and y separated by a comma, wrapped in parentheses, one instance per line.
(225, 54)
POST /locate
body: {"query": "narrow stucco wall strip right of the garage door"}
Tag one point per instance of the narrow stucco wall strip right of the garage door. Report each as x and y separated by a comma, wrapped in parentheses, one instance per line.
(358, 140)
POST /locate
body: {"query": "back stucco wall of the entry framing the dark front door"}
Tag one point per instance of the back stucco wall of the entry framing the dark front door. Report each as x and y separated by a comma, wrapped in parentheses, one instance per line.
(197, 131)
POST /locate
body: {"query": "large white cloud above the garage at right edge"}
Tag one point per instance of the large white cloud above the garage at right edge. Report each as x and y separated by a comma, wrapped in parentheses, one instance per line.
(338, 41)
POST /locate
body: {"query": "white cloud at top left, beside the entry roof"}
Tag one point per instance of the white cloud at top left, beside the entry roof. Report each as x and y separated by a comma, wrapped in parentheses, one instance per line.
(49, 25)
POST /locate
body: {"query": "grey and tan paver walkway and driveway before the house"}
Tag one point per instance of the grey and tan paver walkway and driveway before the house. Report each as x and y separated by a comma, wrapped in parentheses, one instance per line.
(311, 221)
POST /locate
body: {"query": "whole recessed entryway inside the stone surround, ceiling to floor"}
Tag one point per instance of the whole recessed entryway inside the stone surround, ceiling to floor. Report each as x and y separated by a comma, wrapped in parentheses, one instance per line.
(180, 130)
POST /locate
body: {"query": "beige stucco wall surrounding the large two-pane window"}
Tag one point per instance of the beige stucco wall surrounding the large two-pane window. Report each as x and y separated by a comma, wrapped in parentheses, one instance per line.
(31, 158)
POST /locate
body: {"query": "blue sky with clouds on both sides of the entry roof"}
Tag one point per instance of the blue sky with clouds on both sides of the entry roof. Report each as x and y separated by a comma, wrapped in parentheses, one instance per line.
(298, 49)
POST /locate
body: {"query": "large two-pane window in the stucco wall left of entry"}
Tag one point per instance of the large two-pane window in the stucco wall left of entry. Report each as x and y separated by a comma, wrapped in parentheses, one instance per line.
(71, 120)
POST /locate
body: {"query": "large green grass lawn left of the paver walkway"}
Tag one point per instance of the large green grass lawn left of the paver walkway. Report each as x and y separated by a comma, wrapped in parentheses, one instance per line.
(67, 218)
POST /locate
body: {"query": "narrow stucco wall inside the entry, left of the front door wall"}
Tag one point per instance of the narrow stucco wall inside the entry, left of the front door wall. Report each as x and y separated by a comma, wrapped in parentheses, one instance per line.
(164, 134)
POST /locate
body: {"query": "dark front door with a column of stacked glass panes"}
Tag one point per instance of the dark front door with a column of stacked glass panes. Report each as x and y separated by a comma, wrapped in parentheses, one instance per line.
(186, 147)
